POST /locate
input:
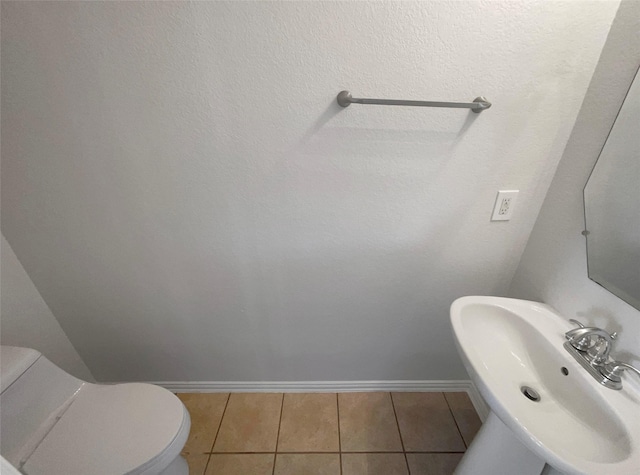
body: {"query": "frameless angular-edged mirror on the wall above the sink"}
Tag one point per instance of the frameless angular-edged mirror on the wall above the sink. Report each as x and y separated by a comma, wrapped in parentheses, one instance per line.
(612, 205)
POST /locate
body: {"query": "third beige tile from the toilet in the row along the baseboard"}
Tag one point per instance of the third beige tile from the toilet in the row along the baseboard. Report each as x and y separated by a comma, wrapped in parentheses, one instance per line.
(309, 423)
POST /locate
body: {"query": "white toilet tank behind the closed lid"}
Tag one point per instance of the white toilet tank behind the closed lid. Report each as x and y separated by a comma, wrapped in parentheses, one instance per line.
(34, 393)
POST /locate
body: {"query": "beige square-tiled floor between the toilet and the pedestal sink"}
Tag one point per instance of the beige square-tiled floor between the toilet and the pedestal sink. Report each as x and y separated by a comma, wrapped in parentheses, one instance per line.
(328, 434)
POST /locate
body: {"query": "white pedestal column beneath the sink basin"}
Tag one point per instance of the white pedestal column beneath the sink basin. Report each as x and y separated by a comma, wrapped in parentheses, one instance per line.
(496, 450)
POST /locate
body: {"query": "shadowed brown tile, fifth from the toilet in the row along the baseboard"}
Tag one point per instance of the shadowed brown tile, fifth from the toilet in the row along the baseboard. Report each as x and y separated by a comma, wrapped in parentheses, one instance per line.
(426, 423)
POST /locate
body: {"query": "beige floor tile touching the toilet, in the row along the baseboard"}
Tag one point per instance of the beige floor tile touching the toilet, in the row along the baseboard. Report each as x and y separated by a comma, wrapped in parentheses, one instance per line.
(205, 411)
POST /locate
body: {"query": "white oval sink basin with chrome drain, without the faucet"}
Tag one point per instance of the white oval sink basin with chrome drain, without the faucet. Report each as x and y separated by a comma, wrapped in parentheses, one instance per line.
(578, 426)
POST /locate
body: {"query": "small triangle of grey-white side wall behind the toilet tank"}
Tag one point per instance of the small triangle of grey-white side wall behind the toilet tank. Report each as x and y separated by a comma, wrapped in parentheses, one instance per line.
(25, 319)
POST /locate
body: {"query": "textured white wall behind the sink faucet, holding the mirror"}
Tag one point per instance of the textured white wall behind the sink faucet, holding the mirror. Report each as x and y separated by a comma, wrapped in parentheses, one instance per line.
(554, 267)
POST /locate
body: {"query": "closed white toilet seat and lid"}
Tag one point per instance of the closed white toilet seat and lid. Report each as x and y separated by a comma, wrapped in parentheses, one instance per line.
(131, 428)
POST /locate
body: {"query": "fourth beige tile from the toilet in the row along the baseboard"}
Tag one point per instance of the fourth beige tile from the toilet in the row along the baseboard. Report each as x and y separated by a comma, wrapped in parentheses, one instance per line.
(367, 423)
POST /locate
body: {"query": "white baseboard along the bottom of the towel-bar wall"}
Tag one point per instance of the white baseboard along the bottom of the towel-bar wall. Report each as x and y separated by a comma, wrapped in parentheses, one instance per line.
(329, 387)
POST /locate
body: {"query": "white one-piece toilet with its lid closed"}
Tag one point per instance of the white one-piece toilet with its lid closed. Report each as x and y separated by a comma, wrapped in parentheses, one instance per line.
(54, 424)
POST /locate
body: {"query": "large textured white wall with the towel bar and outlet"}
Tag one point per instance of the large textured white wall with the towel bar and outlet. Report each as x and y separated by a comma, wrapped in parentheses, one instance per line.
(193, 205)
